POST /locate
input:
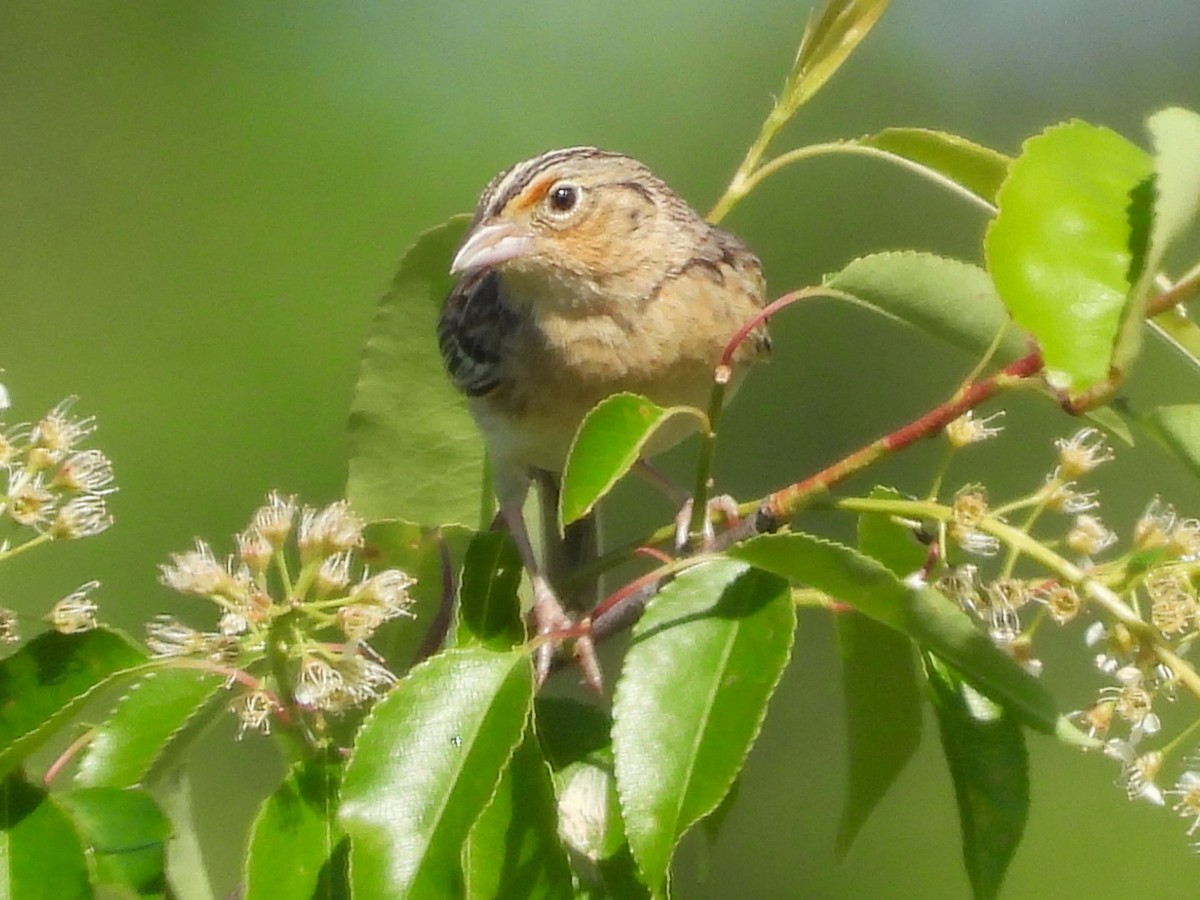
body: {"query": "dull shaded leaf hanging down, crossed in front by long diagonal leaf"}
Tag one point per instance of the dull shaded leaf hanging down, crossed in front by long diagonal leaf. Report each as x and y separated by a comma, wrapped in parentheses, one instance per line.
(880, 689)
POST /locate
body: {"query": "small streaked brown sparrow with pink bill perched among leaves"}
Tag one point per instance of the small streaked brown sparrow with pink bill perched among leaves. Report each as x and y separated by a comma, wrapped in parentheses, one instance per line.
(584, 275)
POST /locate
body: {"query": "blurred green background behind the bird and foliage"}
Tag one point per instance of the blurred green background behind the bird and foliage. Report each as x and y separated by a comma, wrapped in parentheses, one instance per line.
(201, 202)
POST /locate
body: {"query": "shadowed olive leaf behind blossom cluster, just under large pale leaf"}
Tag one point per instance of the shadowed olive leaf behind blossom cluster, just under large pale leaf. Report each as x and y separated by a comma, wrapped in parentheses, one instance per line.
(433, 556)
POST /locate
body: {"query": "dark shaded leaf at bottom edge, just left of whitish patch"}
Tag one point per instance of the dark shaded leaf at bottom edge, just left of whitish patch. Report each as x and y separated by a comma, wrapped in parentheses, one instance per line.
(514, 848)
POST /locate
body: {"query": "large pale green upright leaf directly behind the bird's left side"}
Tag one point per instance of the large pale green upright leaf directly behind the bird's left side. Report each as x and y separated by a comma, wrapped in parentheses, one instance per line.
(415, 451)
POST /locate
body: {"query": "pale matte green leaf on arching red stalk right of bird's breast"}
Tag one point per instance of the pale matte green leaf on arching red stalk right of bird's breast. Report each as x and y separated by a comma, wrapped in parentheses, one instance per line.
(949, 299)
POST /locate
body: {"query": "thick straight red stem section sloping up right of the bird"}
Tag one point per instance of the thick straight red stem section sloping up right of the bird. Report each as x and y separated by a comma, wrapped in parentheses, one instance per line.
(783, 505)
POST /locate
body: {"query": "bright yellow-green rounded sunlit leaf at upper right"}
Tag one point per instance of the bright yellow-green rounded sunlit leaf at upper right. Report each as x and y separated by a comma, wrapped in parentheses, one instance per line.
(1060, 248)
